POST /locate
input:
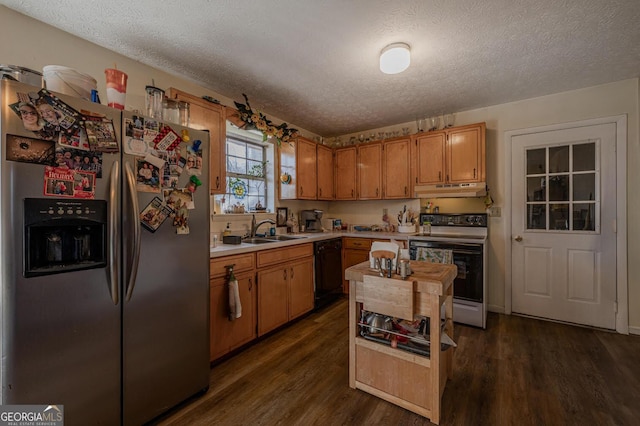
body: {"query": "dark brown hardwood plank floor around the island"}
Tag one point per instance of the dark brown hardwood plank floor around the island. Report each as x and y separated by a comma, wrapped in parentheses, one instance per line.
(519, 371)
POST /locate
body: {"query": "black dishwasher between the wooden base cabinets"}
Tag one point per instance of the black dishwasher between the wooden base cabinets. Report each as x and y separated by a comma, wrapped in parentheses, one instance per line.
(328, 271)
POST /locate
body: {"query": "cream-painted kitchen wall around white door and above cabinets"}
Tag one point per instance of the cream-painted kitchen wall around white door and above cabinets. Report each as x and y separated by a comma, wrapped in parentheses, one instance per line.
(29, 43)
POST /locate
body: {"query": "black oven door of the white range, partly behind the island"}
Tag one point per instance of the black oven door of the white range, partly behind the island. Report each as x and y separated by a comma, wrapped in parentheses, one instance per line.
(467, 257)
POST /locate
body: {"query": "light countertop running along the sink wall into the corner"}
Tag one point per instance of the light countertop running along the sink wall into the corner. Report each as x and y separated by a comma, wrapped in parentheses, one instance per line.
(229, 249)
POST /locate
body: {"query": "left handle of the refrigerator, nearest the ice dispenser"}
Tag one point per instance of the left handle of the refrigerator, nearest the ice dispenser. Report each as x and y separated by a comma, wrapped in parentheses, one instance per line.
(114, 238)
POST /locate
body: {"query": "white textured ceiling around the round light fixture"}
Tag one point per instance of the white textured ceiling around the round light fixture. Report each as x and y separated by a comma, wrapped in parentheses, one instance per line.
(314, 63)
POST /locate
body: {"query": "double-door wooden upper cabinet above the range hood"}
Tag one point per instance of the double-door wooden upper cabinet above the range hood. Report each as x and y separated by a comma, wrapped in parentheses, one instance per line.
(455, 155)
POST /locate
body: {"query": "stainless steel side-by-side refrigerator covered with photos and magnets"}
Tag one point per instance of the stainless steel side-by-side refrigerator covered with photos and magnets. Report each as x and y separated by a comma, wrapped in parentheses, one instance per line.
(107, 317)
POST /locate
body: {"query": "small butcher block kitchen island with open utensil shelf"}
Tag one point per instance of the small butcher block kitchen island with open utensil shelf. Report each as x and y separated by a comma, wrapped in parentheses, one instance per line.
(392, 323)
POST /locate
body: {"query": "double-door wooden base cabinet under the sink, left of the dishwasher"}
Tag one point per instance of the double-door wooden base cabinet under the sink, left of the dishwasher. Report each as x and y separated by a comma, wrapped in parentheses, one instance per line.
(285, 285)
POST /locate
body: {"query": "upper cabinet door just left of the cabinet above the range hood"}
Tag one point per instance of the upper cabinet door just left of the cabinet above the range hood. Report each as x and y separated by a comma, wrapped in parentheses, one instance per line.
(396, 173)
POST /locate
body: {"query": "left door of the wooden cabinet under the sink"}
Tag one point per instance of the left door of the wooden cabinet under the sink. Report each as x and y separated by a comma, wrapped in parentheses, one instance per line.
(272, 298)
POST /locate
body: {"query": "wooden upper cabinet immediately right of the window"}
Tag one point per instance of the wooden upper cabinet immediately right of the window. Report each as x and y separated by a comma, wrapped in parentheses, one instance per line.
(298, 159)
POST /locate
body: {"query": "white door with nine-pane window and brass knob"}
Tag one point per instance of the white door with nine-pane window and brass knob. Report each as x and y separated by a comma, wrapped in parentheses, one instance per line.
(563, 244)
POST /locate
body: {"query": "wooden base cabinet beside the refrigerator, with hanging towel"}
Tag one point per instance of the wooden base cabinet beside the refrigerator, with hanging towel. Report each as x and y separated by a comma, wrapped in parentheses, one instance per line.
(226, 335)
